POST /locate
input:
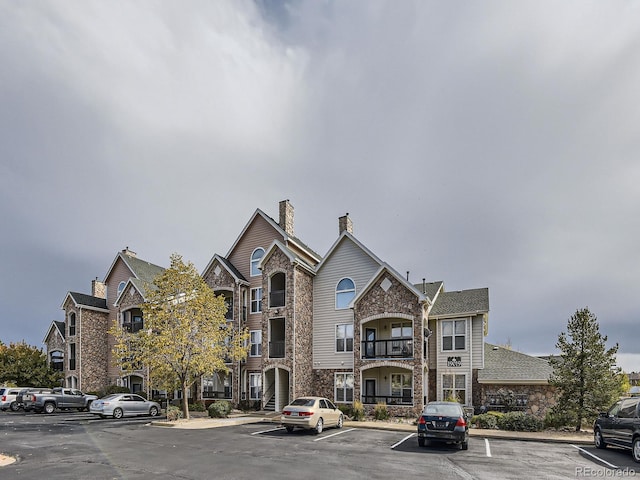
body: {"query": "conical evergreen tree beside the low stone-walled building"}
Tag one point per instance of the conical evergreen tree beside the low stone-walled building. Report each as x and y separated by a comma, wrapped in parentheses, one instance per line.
(585, 373)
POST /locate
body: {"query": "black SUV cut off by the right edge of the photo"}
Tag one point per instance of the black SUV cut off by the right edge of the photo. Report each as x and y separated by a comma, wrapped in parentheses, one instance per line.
(620, 427)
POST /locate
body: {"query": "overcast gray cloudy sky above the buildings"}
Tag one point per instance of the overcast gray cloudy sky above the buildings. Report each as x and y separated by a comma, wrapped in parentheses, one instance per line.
(486, 144)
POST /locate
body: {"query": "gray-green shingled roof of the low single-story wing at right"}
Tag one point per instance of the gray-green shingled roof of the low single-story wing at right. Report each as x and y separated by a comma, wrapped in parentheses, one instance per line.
(504, 366)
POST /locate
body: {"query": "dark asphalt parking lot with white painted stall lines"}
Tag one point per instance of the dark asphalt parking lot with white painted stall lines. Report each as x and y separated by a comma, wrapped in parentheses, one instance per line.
(79, 445)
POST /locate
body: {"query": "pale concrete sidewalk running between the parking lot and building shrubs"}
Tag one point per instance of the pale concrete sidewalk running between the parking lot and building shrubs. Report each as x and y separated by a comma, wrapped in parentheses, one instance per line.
(270, 418)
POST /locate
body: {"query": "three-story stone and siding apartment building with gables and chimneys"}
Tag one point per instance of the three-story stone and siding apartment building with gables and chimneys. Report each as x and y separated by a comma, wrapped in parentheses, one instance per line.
(345, 325)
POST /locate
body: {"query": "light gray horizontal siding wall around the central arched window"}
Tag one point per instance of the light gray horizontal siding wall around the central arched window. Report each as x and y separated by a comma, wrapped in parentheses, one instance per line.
(347, 260)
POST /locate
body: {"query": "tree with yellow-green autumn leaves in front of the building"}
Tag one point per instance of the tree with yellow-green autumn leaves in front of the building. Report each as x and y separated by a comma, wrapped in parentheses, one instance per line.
(185, 334)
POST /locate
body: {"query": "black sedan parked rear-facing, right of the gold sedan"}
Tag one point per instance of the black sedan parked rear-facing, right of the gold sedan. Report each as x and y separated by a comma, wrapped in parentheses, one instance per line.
(443, 422)
